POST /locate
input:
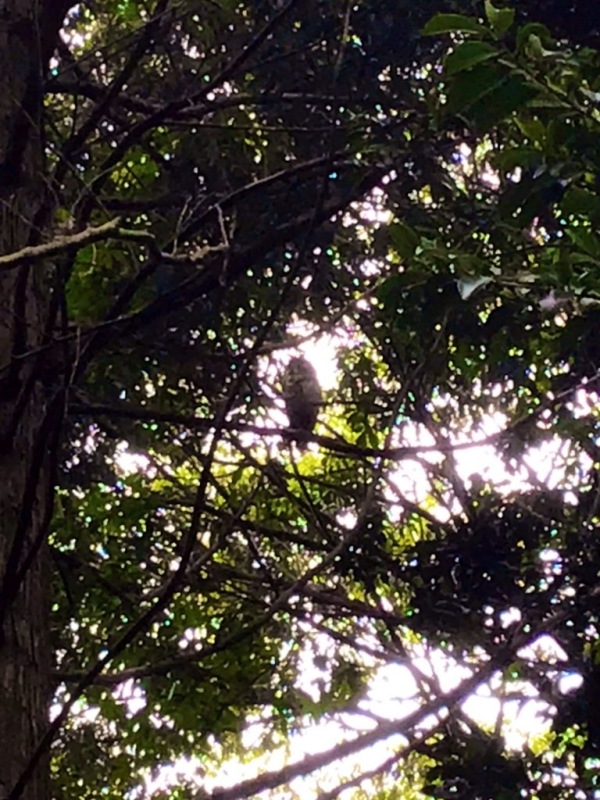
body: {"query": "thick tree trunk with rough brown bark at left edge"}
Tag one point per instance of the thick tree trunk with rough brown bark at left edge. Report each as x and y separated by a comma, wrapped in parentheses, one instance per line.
(30, 415)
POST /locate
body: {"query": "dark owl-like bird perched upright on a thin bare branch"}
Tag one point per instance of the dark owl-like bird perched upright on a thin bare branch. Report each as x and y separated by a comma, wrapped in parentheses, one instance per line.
(302, 395)
